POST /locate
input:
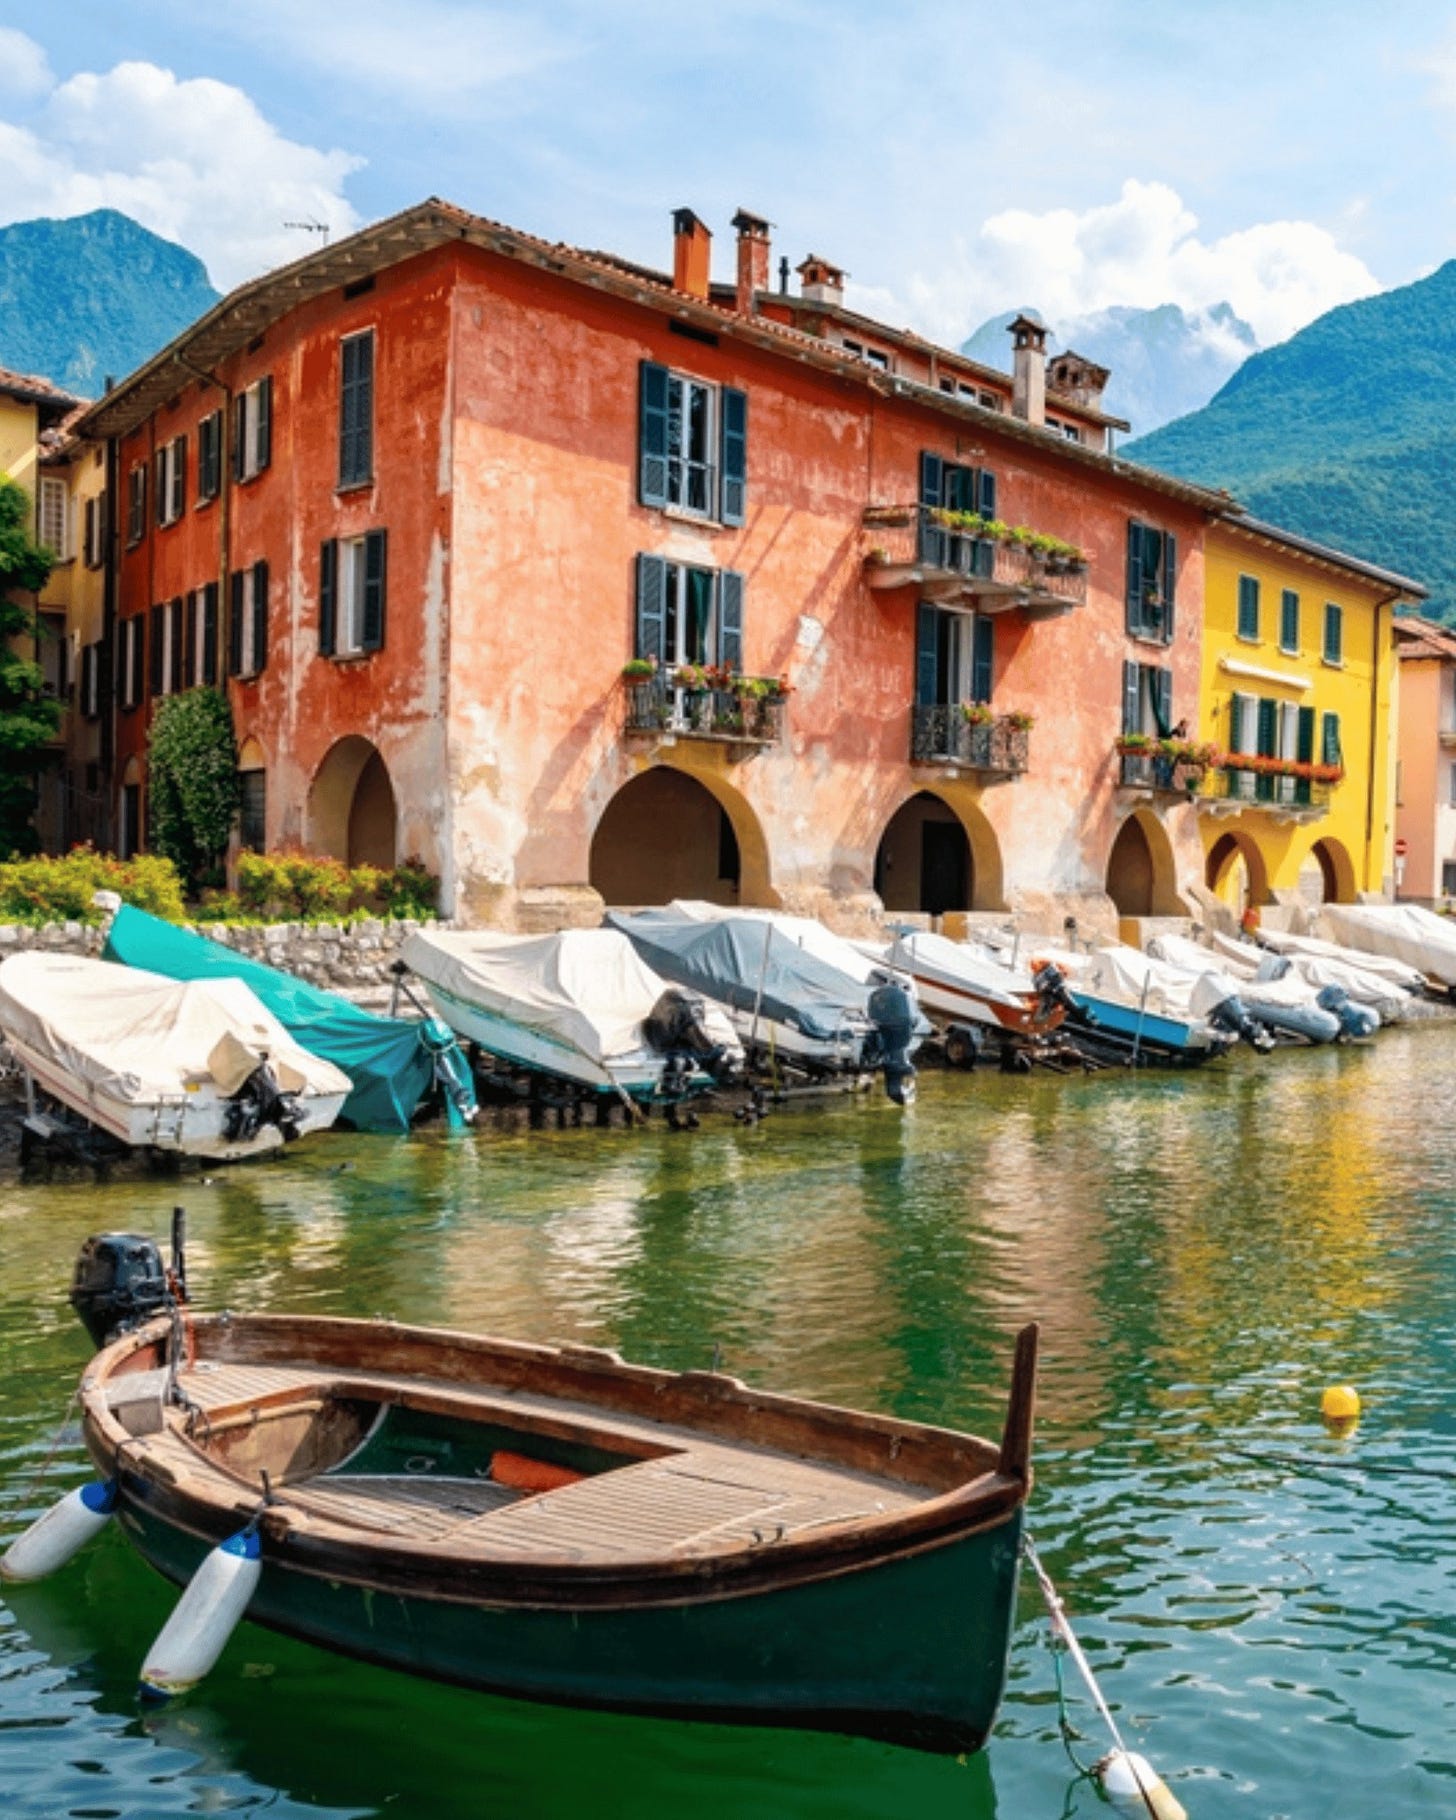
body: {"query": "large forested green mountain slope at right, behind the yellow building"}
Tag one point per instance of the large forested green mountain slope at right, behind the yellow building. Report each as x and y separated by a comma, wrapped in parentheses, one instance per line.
(1342, 434)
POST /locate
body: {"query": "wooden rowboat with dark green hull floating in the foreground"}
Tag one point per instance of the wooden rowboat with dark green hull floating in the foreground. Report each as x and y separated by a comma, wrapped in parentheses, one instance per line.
(554, 1524)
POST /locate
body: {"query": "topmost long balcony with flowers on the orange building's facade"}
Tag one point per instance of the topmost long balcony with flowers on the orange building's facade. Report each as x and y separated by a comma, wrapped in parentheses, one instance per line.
(944, 556)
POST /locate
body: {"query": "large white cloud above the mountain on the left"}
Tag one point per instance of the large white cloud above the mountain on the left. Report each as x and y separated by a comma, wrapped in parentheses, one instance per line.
(194, 161)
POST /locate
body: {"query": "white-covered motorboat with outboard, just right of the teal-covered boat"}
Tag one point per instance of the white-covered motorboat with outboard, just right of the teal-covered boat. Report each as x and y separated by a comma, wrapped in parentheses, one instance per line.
(580, 1006)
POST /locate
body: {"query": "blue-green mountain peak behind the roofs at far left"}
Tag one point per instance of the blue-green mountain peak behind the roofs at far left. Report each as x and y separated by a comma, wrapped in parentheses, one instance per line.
(94, 296)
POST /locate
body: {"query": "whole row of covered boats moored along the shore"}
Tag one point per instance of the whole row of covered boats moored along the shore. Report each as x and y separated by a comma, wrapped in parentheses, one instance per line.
(174, 1042)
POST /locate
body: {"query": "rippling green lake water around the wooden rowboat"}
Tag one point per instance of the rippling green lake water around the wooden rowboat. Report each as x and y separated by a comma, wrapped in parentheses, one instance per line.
(1206, 1255)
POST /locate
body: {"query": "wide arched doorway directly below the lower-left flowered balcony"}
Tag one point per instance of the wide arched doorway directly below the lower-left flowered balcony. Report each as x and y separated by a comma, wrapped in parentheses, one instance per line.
(665, 834)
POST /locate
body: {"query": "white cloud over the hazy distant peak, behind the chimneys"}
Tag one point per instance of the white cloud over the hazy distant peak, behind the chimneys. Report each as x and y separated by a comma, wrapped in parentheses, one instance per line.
(1140, 250)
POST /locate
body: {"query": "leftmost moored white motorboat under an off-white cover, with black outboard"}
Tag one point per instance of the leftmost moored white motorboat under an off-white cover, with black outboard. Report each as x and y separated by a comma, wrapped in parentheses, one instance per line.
(194, 1067)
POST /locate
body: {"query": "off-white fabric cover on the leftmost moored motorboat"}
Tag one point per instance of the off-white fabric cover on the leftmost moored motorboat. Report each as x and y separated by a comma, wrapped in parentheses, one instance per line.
(141, 1038)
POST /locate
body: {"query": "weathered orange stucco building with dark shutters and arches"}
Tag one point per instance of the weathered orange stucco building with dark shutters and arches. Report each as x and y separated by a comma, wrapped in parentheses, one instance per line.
(423, 496)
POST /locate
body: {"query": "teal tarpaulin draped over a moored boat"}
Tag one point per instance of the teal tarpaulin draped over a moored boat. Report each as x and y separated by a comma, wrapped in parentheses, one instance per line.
(387, 1058)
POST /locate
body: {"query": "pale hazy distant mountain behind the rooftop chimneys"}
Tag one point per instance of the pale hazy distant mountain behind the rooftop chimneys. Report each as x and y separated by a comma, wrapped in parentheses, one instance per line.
(1166, 361)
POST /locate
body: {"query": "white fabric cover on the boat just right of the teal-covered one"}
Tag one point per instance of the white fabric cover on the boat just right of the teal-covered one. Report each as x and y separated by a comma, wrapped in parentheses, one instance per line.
(583, 987)
